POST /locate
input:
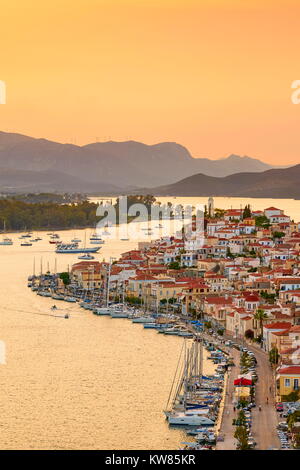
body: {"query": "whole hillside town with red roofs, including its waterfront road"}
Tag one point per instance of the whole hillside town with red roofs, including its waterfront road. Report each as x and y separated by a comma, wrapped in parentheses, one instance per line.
(239, 283)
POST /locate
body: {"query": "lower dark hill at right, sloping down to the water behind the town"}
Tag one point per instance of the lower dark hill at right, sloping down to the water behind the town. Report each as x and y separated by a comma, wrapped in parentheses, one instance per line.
(275, 183)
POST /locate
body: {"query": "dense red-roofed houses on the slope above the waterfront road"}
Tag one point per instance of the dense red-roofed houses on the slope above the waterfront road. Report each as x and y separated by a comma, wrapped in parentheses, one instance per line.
(242, 275)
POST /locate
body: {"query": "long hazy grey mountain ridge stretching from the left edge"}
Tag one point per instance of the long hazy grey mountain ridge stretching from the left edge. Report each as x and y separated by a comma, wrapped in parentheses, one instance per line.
(107, 166)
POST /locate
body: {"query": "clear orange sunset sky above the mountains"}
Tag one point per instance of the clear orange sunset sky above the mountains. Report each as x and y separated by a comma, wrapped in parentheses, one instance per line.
(213, 75)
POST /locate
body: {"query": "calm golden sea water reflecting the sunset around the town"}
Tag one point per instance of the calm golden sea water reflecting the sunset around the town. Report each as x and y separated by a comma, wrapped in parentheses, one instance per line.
(88, 382)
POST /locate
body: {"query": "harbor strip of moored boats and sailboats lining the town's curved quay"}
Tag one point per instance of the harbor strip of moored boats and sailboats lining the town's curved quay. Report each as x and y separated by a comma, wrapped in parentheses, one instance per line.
(195, 397)
